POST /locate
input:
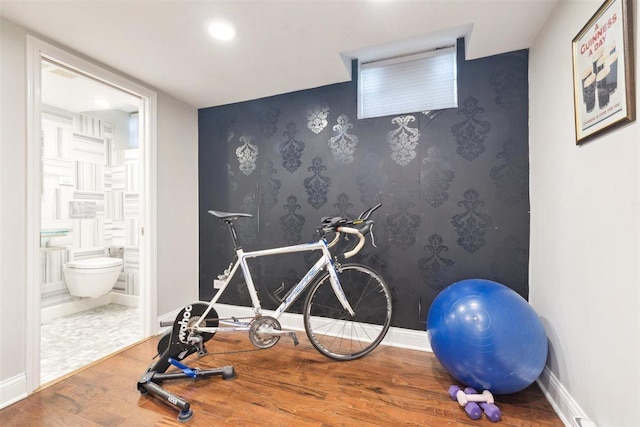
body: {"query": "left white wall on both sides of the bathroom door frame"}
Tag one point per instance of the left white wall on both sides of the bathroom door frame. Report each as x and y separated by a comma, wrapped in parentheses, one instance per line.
(177, 233)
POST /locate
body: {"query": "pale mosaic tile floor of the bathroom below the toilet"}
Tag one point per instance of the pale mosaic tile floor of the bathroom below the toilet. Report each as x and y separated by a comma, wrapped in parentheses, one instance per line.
(71, 342)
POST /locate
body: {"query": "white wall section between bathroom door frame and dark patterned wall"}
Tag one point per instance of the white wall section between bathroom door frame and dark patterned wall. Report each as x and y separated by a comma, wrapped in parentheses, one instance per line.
(177, 204)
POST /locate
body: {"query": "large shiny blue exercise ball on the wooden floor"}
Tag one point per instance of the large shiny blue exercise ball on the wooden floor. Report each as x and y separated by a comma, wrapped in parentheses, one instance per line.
(487, 336)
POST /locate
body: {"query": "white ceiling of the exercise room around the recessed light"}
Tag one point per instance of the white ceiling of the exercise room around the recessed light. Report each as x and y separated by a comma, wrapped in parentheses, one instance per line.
(281, 46)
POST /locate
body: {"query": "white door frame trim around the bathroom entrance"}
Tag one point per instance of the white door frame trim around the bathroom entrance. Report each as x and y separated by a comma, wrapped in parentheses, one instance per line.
(36, 50)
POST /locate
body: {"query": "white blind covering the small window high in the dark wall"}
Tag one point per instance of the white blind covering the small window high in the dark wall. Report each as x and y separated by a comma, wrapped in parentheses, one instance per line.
(420, 82)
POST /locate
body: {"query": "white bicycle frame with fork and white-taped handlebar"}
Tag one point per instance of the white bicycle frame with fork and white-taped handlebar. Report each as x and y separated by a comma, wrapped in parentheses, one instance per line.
(325, 261)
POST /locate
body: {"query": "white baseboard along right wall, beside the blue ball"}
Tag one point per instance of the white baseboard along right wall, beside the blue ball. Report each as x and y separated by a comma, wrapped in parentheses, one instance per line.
(562, 402)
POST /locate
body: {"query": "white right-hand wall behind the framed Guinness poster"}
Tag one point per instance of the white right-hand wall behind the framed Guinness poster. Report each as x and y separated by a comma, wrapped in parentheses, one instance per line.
(585, 235)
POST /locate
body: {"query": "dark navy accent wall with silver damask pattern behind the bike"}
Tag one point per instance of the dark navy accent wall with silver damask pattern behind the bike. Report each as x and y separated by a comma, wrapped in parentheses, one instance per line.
(453, 184)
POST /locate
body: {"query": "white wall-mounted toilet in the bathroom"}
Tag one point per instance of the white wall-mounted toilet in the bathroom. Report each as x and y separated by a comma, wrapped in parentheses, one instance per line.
(92, 277)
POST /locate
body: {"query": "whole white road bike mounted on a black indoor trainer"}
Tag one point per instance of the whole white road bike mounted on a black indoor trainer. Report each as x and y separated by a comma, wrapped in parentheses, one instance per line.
(346, 313)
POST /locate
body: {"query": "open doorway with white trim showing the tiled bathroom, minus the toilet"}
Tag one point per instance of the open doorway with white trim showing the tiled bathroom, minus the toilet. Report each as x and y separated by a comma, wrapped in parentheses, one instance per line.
(91, 194)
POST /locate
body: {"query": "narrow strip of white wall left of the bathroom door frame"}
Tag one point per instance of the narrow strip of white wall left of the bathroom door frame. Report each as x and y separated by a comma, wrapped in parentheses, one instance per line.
(13, 206)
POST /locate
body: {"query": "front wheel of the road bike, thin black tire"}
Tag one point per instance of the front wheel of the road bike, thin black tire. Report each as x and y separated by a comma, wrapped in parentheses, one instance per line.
(332, 330)
